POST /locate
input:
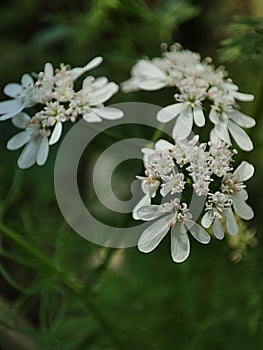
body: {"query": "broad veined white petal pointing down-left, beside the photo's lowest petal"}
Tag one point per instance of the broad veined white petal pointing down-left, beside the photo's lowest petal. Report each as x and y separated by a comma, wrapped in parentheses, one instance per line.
(153, 235)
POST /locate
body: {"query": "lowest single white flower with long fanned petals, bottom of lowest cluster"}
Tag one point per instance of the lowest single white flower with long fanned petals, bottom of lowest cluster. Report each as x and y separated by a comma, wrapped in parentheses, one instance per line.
(178, 219)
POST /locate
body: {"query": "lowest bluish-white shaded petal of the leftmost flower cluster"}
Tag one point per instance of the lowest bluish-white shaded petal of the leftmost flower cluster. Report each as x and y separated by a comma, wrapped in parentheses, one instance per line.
(29, 153)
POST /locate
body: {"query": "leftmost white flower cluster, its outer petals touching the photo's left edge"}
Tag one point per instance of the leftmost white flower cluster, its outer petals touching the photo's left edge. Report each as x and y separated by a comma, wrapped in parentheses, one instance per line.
(44, 101)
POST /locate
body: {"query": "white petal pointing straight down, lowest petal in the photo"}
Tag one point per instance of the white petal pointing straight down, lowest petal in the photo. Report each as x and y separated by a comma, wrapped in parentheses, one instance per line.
(180, 244)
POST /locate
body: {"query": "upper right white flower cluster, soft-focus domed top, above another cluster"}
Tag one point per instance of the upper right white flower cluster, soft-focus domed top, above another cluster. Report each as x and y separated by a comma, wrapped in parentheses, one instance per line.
(201, 92)
